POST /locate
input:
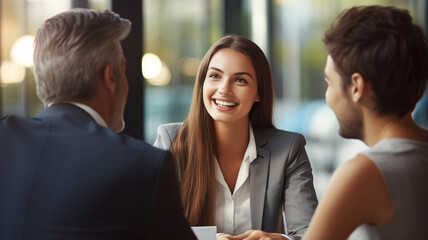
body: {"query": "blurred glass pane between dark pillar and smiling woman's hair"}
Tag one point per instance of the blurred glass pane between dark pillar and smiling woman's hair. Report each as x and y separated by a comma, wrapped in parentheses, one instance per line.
(176, 36)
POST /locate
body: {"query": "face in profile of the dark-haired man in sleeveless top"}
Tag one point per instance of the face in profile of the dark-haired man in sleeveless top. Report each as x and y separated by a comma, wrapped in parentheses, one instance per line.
(347, 113)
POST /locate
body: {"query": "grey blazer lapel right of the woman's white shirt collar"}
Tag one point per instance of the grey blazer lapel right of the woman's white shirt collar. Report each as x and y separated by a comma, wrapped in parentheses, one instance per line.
(259, 169)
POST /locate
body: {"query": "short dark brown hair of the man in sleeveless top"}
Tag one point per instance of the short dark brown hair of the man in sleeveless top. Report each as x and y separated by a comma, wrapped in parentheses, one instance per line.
(387, 49)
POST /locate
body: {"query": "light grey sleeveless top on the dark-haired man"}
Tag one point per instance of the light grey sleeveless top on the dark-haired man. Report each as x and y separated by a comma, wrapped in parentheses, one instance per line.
(403, 164)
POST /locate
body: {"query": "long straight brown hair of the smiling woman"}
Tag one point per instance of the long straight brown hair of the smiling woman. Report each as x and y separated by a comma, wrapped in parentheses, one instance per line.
(195, 144)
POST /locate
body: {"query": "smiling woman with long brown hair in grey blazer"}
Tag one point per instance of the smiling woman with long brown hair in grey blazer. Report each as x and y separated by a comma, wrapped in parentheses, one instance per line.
(233, 163)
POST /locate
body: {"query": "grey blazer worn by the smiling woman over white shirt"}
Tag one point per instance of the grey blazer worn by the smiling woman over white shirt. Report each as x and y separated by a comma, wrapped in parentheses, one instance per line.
(280, 180)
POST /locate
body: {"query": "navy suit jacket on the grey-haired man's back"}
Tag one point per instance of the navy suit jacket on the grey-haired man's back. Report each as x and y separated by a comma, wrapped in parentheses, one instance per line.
(63, 176)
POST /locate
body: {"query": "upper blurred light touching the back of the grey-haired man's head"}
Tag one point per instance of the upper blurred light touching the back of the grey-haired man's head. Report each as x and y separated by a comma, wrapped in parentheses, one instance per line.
(22, 51)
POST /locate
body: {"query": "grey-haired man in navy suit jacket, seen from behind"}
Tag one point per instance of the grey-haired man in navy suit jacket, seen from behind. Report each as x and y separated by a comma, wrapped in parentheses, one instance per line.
(66, 174)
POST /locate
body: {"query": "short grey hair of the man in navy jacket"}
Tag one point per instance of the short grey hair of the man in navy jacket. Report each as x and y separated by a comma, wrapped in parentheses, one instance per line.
(72, 49)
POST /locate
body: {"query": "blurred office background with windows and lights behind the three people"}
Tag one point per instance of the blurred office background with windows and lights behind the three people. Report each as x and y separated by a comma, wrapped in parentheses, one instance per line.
(169, 39)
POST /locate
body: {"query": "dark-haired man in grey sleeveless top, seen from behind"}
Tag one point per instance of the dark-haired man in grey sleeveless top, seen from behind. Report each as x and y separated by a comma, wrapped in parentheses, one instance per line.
(376, 72)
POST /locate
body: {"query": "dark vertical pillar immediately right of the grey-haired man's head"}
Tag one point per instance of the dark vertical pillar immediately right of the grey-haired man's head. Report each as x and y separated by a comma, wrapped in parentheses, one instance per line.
(133, 50)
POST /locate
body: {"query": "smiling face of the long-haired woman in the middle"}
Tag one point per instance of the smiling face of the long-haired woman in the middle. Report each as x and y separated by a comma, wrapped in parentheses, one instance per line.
(230, 86)
